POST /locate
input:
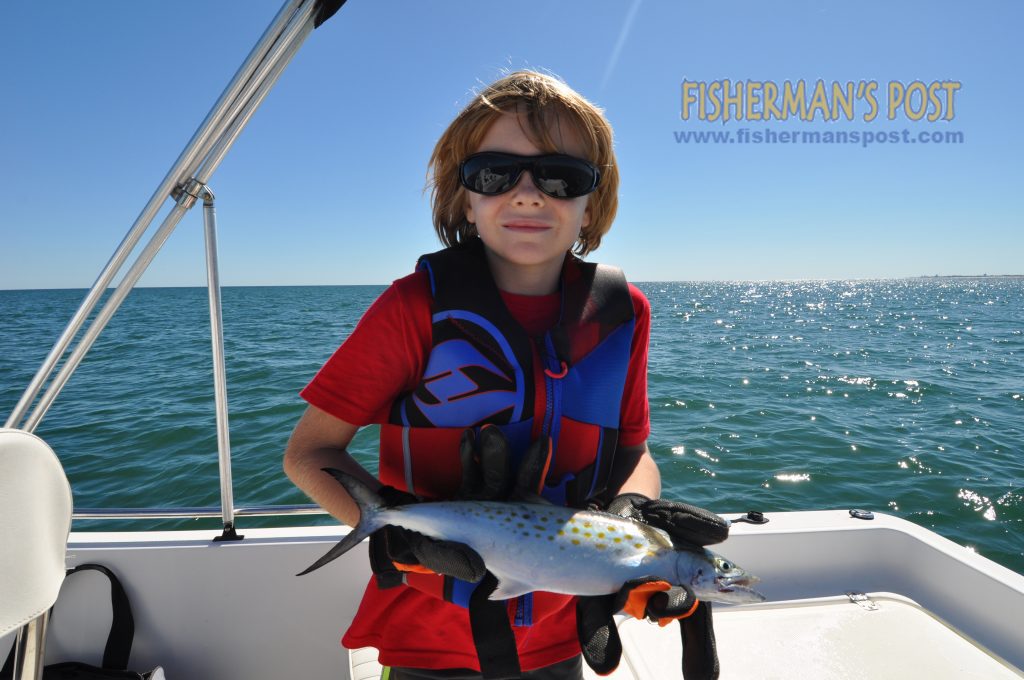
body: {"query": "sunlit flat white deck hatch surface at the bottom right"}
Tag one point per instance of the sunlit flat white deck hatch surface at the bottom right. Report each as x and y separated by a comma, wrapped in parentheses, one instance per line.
(828, 639)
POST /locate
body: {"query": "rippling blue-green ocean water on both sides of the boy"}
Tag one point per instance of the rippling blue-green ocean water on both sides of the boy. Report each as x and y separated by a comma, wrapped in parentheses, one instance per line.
(904, 397)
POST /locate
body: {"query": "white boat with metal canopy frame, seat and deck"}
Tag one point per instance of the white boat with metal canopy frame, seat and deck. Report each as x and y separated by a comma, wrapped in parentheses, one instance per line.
(850, 593)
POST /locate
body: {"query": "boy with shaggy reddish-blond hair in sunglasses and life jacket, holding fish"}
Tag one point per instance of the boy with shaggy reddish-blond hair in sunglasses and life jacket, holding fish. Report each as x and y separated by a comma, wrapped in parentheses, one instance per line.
(504, 330)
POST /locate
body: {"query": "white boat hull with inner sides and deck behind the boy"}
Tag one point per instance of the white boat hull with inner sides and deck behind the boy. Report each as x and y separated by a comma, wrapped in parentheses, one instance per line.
(219, 611)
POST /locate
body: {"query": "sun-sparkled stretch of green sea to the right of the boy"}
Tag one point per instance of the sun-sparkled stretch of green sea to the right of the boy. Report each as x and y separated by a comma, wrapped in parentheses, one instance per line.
(903, 396)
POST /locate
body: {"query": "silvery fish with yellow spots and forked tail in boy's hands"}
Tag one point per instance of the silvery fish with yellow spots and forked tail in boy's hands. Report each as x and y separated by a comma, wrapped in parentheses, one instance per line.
(550, 548)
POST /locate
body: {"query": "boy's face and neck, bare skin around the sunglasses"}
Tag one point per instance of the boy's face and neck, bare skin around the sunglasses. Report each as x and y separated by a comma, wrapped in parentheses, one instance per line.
(527, 233)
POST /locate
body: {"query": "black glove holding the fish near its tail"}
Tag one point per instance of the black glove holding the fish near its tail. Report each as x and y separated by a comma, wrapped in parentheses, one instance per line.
(394, 550)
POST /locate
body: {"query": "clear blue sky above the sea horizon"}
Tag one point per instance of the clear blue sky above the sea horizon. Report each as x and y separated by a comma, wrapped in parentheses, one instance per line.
(326, 186)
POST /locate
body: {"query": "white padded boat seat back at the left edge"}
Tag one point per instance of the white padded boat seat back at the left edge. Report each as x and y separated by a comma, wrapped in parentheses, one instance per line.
(35, 520)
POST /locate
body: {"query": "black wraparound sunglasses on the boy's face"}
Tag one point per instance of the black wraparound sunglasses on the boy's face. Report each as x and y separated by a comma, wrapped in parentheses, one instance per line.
(558, 176)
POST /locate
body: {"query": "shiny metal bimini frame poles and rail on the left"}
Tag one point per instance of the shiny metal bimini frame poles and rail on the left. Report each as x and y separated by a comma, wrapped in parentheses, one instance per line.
(185, 185)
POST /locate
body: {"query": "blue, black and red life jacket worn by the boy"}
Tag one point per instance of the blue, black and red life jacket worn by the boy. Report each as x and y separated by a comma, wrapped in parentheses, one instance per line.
(485, 369)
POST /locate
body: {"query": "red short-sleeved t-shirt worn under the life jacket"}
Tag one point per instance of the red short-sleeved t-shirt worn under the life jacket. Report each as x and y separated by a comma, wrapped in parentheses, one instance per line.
(386, 357)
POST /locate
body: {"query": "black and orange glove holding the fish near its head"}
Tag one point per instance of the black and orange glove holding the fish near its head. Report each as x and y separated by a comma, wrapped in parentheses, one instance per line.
(688, 526)
